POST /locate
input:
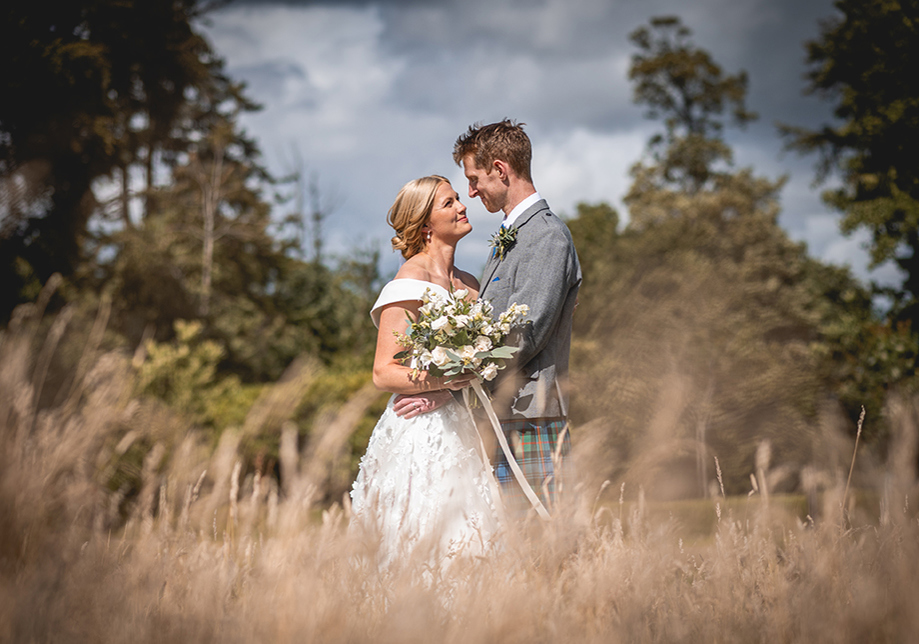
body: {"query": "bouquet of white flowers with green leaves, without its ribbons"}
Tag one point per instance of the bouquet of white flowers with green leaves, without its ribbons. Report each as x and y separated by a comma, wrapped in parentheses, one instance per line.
(453, 335)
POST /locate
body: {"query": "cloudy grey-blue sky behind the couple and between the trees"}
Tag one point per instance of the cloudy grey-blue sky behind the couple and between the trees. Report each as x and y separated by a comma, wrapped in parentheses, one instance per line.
(371, 94)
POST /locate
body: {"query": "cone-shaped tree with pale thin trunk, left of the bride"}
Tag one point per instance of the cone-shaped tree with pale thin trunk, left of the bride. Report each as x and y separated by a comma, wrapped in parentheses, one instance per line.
(209, 236)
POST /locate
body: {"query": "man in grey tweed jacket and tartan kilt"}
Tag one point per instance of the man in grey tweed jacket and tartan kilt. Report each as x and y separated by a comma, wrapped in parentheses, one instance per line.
(535, 263)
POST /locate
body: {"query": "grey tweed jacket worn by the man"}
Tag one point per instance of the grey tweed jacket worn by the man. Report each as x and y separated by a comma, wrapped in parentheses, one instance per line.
(540, 270)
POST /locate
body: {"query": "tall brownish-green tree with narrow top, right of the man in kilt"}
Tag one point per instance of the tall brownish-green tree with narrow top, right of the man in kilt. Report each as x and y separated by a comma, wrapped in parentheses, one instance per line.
(706, 314)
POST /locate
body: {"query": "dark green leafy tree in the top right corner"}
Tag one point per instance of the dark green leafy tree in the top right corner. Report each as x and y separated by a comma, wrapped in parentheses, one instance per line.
(864, 61)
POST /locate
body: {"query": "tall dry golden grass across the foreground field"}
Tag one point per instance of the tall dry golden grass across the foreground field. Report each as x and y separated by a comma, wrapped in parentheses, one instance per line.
(206, 554)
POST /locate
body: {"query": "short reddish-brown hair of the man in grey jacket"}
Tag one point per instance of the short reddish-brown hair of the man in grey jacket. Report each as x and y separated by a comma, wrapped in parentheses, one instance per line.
(503, 140)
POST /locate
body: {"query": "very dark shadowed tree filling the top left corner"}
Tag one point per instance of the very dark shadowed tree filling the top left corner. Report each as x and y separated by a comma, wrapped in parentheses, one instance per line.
(91, 88)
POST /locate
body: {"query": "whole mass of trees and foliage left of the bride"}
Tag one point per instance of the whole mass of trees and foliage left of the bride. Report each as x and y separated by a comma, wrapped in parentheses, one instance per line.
(125, 169)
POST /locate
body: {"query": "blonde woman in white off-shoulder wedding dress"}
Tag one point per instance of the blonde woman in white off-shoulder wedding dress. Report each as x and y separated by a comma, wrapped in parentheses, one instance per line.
(423, 487)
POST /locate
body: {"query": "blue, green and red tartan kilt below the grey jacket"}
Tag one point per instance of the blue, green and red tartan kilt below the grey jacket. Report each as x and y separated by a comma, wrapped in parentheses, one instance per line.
(545, 464)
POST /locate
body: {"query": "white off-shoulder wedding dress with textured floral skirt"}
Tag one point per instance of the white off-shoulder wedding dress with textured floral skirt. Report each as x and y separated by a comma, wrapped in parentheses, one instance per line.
(423, 487)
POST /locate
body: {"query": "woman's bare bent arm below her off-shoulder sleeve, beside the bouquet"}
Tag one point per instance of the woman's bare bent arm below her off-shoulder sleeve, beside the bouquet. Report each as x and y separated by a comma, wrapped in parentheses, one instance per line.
(391, 375)
